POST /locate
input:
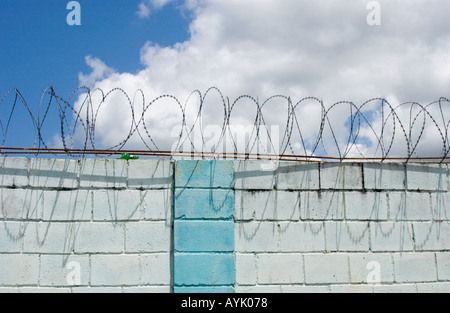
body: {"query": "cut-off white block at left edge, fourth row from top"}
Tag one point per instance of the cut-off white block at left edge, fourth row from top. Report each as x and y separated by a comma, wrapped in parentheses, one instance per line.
(19, 269)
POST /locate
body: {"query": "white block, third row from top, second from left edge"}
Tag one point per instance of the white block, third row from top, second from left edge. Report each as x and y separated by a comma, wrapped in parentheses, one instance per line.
(56, 238)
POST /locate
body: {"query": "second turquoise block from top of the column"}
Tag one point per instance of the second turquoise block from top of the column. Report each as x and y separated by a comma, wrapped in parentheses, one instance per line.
(204, 204)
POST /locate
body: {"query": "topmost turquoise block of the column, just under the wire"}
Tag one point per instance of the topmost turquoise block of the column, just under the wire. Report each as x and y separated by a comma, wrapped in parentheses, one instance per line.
(204, 174)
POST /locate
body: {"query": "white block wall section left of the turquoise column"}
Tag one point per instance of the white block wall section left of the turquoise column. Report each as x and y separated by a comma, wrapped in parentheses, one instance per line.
(85, 226)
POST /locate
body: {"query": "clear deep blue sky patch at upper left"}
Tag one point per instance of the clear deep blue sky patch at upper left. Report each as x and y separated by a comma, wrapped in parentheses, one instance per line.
(39, 49)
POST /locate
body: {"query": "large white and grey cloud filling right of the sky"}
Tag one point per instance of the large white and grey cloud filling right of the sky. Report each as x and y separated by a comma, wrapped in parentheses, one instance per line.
(297, 48)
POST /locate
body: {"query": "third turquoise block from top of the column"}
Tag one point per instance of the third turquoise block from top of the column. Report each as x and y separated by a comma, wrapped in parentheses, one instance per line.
(204, 236)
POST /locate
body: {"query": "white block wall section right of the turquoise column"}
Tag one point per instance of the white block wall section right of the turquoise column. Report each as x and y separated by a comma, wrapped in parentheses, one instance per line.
(332, 227)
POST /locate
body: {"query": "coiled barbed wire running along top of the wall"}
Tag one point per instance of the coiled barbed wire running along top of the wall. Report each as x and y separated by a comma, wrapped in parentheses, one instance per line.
(306, 130)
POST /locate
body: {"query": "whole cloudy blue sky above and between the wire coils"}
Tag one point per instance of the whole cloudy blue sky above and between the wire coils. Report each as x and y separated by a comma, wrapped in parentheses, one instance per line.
(298, 48)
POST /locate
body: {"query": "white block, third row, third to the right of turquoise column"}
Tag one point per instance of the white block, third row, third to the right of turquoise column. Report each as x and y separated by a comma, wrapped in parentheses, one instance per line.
(347, 236)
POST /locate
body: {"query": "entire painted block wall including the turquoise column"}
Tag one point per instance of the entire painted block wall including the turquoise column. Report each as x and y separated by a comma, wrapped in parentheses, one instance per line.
(222, 226)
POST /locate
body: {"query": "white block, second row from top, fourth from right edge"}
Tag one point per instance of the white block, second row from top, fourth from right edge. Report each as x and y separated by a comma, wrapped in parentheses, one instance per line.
(325, 205)
